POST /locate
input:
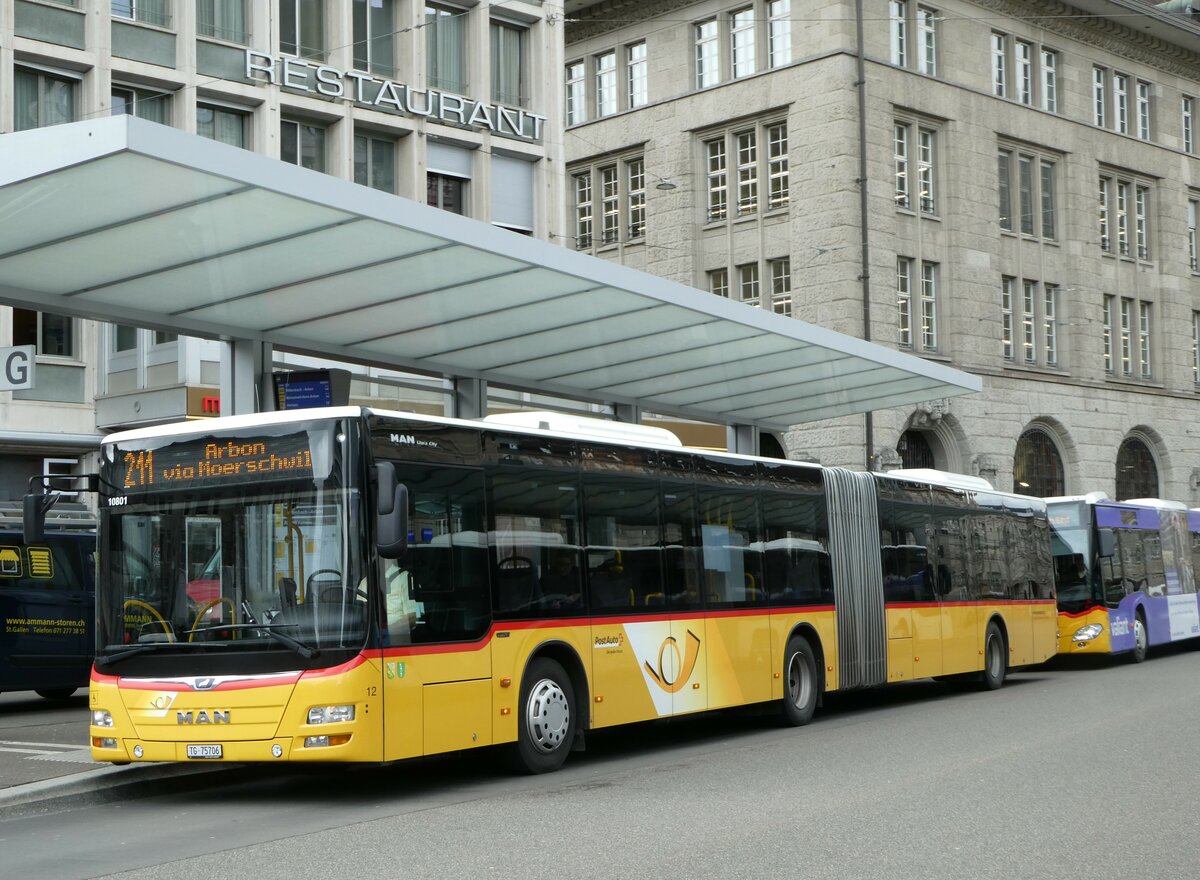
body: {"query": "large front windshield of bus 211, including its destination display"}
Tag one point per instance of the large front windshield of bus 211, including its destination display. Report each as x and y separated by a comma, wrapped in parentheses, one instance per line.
(263, 556)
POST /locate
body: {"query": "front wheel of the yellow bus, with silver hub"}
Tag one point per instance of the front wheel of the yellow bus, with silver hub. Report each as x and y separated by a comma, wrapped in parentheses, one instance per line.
(547, 726)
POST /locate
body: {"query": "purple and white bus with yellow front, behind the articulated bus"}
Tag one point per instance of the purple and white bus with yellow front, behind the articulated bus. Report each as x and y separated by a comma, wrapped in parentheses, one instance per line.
(1125, 573)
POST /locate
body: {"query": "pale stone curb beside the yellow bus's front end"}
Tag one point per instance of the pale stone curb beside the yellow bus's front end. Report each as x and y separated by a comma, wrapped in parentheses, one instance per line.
(100, 786)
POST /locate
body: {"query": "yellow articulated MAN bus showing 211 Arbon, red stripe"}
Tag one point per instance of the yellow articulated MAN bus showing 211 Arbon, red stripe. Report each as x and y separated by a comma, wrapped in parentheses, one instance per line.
(353, 585)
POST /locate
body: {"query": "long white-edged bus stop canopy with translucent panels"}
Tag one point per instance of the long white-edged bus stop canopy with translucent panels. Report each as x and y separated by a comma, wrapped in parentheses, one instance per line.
(123, 220)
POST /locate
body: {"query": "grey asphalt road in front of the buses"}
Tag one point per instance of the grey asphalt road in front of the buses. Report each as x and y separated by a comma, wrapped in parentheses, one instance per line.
(1066, 773)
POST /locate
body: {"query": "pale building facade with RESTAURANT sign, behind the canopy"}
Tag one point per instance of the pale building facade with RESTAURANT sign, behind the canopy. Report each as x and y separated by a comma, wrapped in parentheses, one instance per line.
(453, 105)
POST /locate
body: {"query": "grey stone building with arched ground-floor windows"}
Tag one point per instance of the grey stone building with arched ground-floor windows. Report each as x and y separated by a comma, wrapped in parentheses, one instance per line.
(1010, 188)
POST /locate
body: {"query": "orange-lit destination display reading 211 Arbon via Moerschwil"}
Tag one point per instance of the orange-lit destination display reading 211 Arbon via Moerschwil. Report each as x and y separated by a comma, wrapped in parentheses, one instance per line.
(213, 463)
